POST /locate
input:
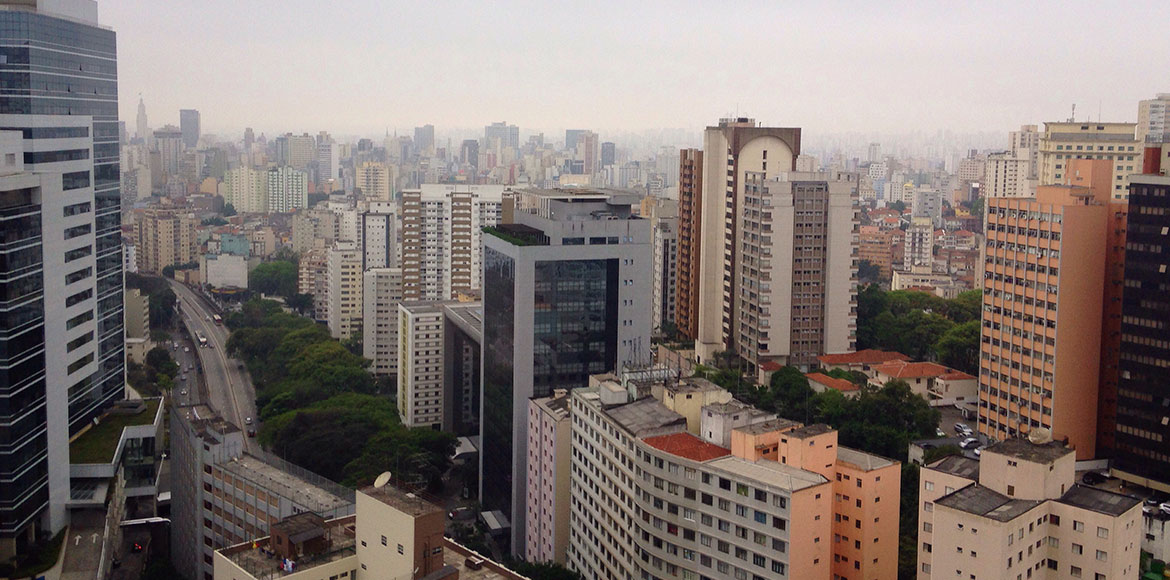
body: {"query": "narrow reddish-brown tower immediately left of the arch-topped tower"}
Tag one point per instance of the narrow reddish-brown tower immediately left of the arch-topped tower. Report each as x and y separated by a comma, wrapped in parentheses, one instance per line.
(691, 237)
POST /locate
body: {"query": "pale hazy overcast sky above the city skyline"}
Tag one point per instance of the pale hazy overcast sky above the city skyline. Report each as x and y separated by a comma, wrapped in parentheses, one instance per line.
(355, 67)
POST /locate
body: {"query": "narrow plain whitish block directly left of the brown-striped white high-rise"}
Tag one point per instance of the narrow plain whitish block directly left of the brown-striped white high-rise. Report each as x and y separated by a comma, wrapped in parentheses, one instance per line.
(382, 294)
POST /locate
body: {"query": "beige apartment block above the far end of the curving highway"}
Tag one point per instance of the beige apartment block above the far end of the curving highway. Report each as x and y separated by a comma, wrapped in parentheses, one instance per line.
(166, 238)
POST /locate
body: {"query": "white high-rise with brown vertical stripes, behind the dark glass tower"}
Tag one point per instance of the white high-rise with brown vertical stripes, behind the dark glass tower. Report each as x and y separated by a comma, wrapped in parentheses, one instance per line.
(443, 226)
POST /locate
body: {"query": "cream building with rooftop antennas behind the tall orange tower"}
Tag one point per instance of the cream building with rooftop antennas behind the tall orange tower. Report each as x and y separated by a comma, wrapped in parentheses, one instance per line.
(1062, 143)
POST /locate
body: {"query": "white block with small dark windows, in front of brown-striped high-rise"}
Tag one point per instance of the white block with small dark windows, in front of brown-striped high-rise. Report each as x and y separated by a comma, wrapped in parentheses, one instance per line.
(421, 361)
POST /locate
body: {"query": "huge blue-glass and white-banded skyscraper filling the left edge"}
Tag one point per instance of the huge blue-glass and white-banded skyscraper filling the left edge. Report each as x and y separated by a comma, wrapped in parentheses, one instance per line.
(63, 362)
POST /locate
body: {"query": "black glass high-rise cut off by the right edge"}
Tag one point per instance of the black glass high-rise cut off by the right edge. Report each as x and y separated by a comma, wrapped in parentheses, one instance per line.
(1144, 390)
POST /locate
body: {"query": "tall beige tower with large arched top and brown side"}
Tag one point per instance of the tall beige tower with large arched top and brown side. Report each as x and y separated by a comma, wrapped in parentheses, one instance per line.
(748, 148)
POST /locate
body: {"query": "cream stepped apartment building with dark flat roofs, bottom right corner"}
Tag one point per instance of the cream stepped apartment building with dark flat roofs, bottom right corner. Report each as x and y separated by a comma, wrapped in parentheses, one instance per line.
(1017, 514)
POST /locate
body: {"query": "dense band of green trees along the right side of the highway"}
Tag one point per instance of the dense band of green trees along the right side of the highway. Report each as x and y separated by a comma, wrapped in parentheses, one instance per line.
(320, 405)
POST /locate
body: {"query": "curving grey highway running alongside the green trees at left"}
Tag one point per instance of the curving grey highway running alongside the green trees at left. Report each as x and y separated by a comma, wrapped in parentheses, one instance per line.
(230, 389)
